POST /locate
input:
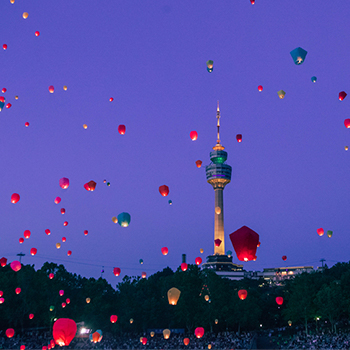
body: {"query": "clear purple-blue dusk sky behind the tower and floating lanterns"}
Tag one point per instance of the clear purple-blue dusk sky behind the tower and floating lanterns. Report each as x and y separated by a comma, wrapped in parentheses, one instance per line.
(290, 174)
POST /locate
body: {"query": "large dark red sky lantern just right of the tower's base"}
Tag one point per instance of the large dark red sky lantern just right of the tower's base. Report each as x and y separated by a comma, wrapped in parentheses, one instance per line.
(245, 242)
